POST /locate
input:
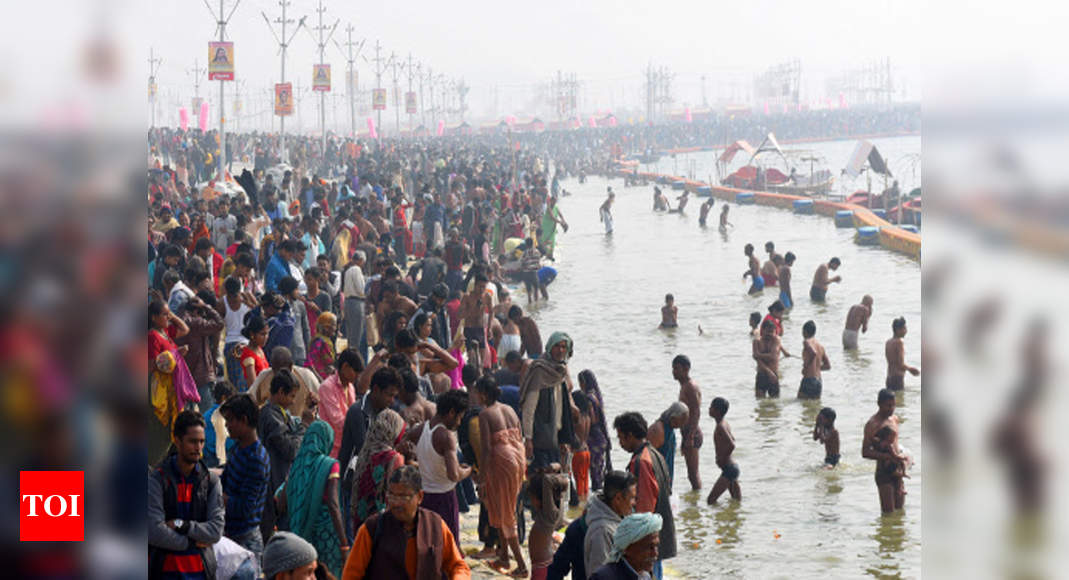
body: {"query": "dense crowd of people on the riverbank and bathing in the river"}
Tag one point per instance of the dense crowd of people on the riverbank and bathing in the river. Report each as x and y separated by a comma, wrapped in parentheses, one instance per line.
(338, 369)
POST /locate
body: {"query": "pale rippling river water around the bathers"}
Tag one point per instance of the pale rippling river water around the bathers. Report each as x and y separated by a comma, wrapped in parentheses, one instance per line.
(796, 520)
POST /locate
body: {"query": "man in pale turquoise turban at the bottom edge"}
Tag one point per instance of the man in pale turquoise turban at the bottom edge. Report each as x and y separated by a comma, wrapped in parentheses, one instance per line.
(636, 547)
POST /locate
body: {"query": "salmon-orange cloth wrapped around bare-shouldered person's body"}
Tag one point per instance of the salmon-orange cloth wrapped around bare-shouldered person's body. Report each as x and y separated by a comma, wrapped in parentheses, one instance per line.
(503, 477)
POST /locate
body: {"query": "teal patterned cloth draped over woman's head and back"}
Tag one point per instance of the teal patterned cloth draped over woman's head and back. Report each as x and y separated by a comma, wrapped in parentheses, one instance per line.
(308, 478)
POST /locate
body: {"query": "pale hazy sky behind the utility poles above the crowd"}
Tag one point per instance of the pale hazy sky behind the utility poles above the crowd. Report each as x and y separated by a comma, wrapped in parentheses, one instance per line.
(515, 46)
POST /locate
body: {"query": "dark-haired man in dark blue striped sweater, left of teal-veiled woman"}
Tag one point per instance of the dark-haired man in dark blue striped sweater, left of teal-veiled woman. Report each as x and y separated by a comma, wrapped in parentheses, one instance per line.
(245, 476)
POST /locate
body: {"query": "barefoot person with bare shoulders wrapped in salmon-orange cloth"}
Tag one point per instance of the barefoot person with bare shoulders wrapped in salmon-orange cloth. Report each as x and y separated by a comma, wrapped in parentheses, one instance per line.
(503, 473)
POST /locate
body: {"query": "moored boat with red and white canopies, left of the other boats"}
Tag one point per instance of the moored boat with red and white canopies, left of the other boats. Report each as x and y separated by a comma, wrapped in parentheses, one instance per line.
(762, 173)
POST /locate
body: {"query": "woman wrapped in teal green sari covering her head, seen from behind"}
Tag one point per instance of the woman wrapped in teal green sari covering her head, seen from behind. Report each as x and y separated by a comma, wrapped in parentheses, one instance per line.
(311, 497)
